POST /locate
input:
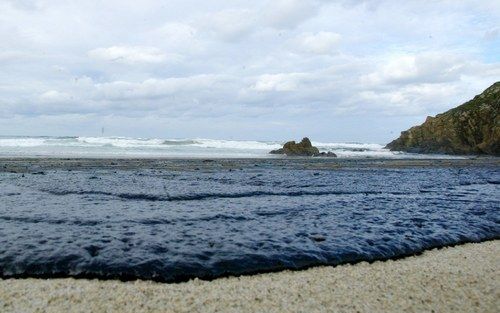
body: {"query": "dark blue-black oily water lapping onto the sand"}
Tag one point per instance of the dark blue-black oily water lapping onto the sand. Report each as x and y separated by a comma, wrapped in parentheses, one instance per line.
(173, 220)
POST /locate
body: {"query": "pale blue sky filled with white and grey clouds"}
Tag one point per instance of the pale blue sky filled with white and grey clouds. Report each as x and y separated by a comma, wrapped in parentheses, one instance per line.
(336, 71)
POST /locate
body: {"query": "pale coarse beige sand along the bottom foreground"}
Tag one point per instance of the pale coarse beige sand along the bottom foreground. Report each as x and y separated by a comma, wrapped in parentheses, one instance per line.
(455, 279)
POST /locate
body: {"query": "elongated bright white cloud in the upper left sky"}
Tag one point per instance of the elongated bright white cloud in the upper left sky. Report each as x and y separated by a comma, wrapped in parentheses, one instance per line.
(129, 54)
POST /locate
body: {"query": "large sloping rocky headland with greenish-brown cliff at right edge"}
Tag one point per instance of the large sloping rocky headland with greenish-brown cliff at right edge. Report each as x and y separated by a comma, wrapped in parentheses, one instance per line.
(471, 128)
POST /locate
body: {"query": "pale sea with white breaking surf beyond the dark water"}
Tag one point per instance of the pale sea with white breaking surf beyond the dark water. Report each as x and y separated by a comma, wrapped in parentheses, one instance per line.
(122, 147)
